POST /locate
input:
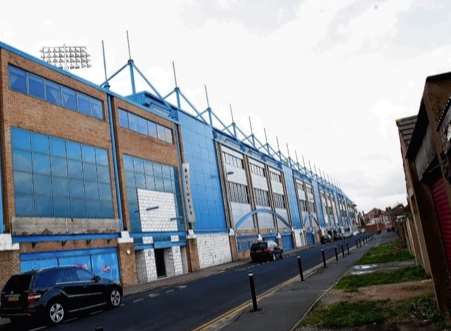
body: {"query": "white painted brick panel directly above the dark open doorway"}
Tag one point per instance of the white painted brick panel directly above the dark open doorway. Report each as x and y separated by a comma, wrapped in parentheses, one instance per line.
(160, 219)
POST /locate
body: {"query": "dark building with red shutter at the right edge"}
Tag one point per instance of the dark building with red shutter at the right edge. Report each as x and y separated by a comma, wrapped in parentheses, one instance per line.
(425, 150)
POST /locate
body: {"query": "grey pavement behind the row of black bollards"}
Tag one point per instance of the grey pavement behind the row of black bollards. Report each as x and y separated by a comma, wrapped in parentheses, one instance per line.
(284, 308)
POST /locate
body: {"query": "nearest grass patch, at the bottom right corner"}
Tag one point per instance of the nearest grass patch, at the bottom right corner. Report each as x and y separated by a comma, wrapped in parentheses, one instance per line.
(352, 314)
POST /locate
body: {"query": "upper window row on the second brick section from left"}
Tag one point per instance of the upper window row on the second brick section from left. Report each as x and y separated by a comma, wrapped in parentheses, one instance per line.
(144, 126)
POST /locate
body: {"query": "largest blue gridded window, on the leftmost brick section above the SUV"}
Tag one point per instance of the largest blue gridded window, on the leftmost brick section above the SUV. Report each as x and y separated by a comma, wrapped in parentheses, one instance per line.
(54, 177)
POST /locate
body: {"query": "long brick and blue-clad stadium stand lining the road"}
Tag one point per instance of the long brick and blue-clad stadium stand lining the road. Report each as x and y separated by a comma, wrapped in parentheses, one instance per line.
(135, 188)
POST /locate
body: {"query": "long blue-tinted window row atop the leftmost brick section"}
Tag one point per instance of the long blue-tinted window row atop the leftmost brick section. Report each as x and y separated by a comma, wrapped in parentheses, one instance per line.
(36, 86)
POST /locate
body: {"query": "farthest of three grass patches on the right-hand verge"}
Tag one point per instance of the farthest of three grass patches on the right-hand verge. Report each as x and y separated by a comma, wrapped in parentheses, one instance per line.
(389, 252)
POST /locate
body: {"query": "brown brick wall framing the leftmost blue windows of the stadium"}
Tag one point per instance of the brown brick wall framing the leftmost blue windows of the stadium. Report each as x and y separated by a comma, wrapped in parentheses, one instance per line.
(19, 110)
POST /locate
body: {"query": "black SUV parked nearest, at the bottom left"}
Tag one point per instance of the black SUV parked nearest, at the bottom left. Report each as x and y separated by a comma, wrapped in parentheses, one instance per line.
(56, 292)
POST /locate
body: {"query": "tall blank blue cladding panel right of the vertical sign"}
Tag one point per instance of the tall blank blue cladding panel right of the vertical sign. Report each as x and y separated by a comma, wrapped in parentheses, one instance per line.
(199, 152)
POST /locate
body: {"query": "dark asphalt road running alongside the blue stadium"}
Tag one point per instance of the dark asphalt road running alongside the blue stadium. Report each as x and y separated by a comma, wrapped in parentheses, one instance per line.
(188, 306)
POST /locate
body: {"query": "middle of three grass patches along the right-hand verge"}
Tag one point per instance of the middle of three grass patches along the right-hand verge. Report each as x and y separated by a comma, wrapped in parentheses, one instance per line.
(353, 282)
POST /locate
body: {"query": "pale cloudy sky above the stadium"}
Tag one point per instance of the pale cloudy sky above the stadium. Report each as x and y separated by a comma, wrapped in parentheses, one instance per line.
(328, 77)
